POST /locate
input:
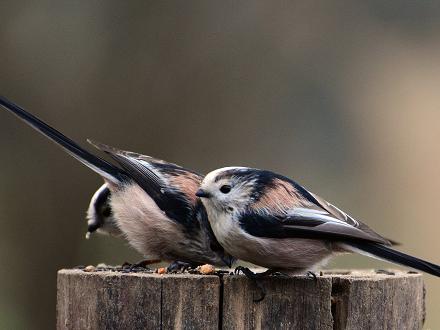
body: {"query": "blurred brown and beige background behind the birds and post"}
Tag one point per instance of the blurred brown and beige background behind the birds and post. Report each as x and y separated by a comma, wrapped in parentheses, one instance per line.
(342, 97)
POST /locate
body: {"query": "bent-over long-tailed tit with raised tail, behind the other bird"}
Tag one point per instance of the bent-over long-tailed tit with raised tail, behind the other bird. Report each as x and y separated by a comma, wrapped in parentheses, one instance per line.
(152, 202)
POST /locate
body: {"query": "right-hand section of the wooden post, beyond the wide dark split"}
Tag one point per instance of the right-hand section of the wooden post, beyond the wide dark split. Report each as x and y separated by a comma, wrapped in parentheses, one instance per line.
(363, 301)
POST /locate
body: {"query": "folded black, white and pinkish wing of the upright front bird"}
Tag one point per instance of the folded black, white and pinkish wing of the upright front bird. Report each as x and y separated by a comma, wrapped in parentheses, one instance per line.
(301, 214)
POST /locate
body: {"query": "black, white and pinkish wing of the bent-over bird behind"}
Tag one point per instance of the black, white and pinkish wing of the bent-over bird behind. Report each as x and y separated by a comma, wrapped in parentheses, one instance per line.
(173, 188)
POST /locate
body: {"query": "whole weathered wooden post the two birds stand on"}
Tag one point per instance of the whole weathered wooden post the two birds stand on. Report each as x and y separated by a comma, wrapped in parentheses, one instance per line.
(338, 300)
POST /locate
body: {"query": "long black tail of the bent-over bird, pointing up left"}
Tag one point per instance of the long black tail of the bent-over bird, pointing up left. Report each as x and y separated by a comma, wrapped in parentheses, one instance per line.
(100, 166)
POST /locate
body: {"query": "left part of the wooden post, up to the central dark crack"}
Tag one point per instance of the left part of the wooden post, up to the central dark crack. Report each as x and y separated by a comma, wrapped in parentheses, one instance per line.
(109, 300)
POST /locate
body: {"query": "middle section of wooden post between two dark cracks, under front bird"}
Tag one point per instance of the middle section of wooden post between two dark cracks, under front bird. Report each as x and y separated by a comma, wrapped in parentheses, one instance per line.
(288, 304)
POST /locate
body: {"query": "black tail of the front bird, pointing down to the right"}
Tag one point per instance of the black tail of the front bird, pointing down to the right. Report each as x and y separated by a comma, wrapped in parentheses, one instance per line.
(389, 254)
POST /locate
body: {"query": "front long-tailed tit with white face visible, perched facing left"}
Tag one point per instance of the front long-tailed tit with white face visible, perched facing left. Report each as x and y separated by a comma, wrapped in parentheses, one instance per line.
(271, 221)
